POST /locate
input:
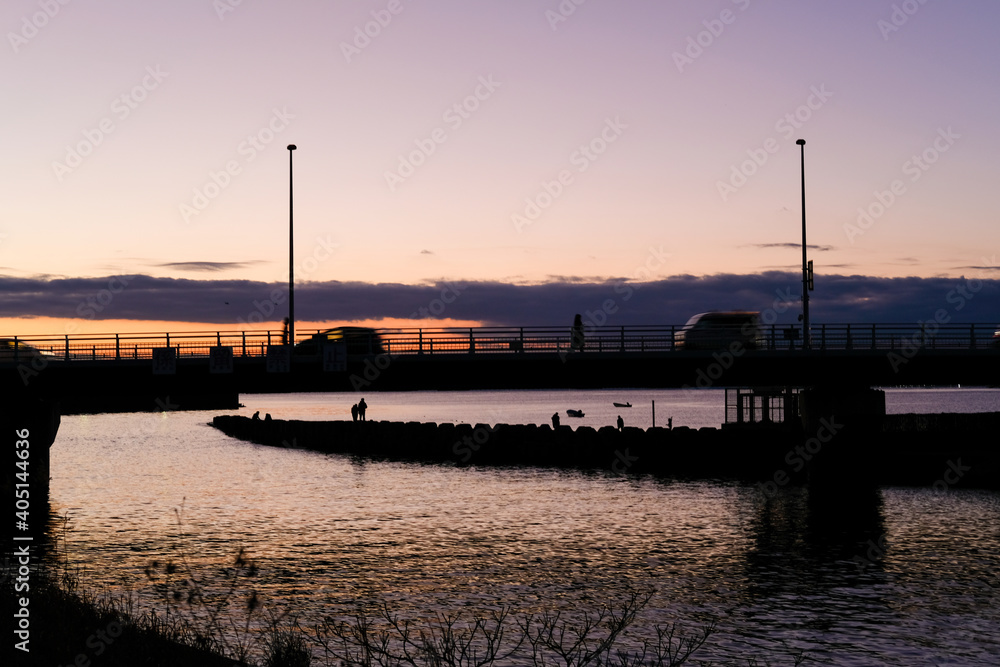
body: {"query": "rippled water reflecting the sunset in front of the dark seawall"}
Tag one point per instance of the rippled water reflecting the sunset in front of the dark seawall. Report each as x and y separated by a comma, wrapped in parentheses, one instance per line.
(329, 534)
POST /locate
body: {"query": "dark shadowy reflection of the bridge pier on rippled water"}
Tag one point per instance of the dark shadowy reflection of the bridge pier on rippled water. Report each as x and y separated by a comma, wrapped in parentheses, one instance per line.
(806, 586)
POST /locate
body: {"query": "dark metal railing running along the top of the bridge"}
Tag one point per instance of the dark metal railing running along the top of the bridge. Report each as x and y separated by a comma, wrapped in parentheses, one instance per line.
(503, 340)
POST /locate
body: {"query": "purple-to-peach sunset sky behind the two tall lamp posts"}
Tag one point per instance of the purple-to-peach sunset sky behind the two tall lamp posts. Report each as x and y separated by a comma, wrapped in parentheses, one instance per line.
(503, 142)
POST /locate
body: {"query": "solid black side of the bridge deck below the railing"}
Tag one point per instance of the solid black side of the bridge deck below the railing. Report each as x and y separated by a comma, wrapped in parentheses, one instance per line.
(91, 386)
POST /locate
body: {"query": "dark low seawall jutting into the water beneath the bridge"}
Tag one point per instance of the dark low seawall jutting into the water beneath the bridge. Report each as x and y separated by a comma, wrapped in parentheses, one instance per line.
(897, 455)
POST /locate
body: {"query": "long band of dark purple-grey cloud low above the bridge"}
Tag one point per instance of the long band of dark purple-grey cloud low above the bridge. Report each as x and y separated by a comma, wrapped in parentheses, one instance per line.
(838, 298)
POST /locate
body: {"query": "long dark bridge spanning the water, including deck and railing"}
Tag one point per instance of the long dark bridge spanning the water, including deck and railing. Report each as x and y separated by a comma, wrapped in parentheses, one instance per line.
(147, 371)
